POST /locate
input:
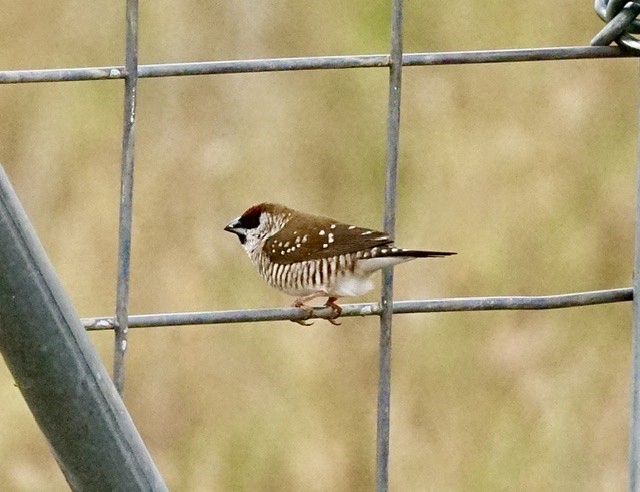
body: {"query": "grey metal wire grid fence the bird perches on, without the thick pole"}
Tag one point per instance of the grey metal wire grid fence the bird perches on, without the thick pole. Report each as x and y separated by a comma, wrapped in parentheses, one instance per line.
(621, 23)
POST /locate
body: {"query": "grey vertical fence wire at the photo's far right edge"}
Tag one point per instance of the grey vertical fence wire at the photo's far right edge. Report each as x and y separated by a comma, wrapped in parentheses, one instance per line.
(634, 437)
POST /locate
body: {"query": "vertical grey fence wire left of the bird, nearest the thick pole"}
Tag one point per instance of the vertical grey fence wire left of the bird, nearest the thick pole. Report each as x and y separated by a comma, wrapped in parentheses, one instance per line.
(126, 195)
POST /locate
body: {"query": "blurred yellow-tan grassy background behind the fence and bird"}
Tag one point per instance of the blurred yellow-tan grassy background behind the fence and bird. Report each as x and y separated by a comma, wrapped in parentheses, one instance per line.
(527, 170)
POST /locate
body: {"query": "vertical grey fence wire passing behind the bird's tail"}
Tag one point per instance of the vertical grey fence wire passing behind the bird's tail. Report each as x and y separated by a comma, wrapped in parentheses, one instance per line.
(393, 138)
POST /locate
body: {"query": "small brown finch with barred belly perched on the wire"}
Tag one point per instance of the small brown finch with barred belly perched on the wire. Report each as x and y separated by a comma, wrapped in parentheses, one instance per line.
(310, 256)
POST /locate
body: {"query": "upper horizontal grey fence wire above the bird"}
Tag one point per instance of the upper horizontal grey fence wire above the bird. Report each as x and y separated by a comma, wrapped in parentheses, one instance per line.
(313, 63)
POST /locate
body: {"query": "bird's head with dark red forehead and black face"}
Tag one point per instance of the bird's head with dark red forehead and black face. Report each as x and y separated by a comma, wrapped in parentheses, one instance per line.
(258, 223)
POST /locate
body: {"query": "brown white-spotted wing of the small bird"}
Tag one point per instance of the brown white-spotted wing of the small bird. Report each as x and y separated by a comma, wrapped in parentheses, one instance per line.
(310, 237)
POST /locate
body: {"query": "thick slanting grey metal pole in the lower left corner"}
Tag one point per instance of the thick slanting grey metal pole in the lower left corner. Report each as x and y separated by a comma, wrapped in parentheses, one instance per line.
(61, 377)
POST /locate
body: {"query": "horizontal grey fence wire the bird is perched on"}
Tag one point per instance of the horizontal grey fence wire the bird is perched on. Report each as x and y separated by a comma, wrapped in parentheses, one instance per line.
(499, 303)
